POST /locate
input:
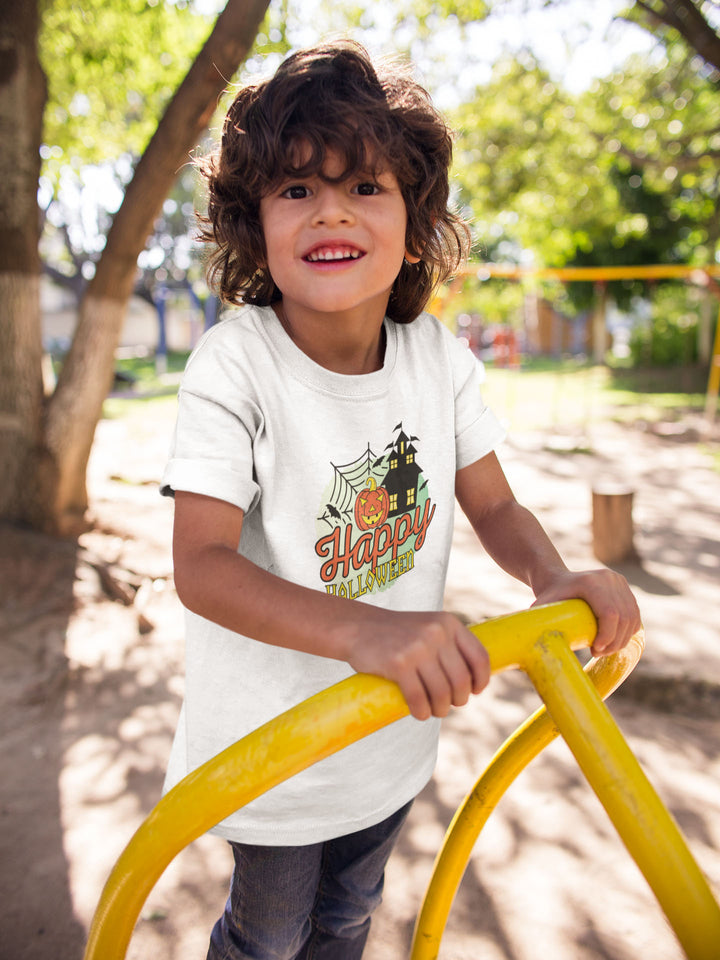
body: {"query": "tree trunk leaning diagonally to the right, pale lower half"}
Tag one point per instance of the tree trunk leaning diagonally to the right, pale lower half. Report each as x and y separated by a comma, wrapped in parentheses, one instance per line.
(76, 404)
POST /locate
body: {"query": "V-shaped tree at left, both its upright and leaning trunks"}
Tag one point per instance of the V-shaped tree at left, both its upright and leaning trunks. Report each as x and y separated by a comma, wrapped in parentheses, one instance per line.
(44, 449)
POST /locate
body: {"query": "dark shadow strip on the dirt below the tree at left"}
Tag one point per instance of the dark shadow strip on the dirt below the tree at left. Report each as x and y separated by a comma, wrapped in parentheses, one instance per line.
(37, 577)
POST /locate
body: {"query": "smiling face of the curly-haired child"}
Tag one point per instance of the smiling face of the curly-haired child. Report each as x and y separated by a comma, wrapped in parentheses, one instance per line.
(335, 248)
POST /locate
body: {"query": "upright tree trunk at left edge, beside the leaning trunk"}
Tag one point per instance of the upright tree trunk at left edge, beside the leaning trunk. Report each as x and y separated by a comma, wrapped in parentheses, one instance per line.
(22, 100)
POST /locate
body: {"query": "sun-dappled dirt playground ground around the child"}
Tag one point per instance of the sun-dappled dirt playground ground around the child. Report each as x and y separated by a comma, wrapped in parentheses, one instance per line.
(91, 683)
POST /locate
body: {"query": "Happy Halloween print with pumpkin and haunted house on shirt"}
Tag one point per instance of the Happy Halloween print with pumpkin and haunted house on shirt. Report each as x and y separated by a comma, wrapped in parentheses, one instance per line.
(374, 519)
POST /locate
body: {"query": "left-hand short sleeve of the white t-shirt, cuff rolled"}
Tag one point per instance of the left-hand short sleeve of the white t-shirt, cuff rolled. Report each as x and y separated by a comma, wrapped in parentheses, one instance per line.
(217, 422)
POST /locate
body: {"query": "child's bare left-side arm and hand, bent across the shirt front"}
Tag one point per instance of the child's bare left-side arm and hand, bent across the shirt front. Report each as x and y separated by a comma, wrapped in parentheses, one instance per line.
(434, 659)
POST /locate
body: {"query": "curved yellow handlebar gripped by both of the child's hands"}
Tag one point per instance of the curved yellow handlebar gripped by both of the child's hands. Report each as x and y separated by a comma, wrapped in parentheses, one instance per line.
(283, 747)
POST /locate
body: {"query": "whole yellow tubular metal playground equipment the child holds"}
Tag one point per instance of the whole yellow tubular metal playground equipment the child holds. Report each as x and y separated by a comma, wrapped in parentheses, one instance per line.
(539, 641)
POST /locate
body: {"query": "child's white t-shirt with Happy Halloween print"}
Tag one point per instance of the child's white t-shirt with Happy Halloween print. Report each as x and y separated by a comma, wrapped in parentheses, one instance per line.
(347, 484)
